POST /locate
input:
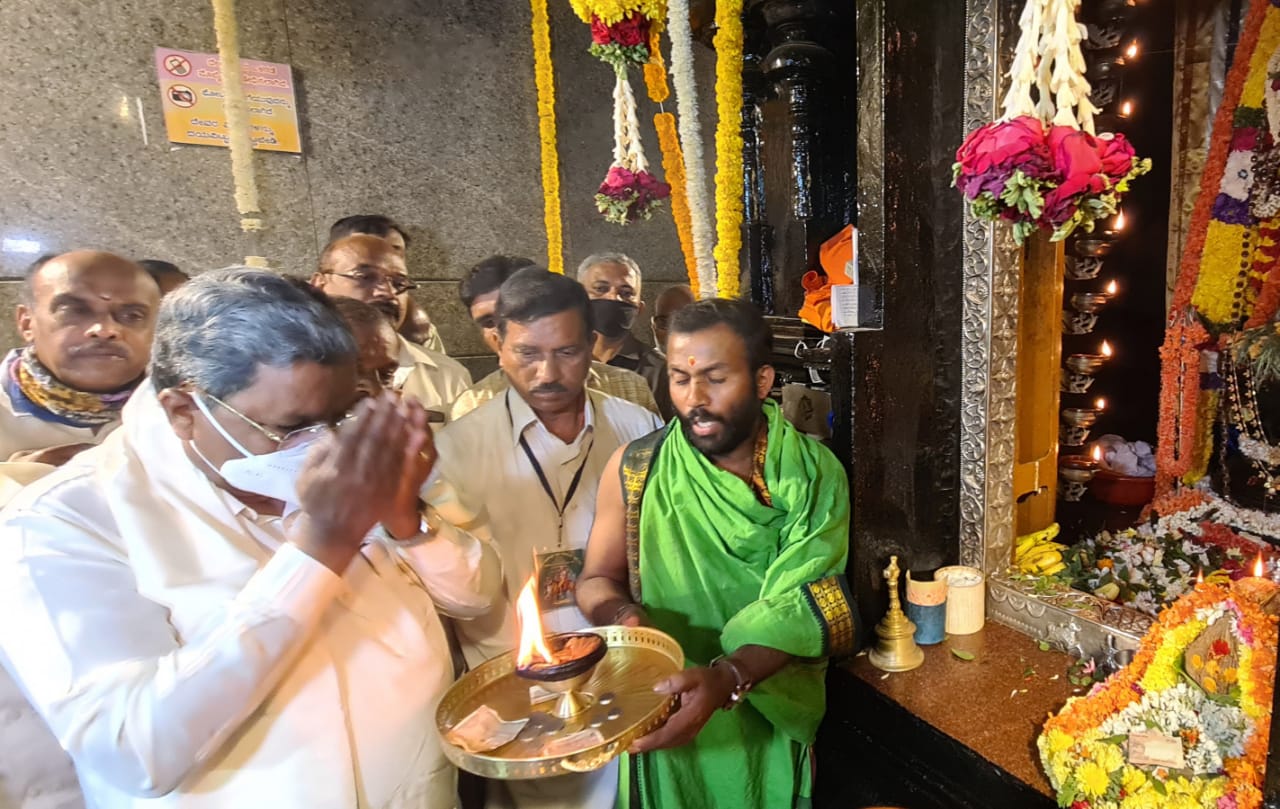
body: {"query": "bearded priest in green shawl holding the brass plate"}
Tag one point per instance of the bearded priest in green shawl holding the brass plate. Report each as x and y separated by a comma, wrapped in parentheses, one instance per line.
(729, 531)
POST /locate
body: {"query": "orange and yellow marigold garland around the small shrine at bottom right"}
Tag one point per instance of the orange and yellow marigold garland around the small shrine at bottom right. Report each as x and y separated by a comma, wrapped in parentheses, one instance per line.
(1089, 770)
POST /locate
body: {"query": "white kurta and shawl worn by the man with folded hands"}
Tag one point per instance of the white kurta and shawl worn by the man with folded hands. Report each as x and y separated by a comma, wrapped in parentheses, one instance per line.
(186, 656)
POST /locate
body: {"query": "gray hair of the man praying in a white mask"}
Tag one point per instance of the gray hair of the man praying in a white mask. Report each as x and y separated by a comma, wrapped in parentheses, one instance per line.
(220, 328)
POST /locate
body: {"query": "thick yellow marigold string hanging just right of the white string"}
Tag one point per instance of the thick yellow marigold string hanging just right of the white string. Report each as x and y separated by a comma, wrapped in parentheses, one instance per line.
(729, 145)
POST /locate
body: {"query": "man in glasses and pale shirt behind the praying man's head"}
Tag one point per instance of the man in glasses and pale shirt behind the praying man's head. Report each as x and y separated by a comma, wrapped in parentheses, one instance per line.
(371, 269)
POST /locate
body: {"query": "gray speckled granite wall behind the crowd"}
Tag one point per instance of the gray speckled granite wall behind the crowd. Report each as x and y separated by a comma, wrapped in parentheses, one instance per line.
(420, 109)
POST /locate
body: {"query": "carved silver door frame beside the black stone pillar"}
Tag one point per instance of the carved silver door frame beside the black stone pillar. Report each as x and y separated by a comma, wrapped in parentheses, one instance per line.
(991, 264)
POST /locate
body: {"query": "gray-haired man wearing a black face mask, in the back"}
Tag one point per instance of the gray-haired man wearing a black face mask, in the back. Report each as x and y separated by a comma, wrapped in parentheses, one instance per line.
(612, 282)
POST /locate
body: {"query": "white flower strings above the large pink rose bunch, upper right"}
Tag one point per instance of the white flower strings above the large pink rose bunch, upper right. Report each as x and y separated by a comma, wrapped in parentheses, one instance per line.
(1049, 60)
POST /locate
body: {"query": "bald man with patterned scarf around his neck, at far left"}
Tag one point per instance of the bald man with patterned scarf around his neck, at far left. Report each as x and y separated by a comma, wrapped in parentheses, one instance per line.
(88, 319)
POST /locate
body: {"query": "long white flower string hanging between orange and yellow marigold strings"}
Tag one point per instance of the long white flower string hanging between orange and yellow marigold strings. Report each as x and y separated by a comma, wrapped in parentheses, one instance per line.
(692, 144)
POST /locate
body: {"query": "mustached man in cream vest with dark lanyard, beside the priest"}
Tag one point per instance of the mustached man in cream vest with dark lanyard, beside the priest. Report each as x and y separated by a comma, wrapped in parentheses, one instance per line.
(532, 459)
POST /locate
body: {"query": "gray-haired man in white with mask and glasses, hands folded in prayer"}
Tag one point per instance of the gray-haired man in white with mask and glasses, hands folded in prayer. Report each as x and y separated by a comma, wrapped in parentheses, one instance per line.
(203, 609)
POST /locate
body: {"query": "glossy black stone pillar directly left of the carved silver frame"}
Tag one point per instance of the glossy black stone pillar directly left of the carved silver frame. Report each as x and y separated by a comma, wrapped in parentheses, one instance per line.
(906, 380)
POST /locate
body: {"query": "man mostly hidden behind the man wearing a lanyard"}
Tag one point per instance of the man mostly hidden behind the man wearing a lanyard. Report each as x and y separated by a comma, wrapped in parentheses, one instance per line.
(479, 292)
